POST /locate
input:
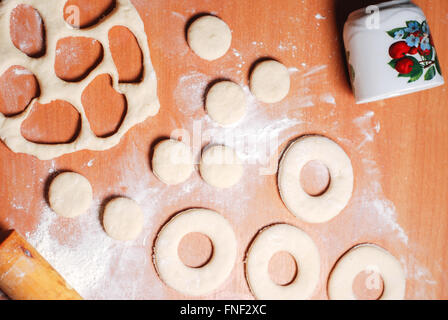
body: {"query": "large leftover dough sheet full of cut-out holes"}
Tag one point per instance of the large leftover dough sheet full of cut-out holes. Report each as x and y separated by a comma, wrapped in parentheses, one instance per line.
(141, 97)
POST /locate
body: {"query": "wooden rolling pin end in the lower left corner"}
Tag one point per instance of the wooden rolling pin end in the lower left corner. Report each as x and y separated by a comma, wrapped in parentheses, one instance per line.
(26, 275)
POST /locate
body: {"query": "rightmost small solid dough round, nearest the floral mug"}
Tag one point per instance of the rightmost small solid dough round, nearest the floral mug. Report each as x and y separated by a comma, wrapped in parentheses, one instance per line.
(270, 82)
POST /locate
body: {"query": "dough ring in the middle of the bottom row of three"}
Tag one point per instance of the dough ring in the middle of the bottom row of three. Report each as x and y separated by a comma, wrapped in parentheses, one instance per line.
(283, 237)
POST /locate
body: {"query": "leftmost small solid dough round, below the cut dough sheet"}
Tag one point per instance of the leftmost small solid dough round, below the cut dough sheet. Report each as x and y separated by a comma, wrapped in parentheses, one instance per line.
(70, 194)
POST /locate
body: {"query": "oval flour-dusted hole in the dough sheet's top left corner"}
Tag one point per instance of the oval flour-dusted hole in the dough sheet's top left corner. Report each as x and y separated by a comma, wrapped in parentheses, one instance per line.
(27, 31)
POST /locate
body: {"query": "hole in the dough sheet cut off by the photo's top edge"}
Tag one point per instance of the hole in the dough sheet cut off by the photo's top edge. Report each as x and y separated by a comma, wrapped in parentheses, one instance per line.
(86, 13)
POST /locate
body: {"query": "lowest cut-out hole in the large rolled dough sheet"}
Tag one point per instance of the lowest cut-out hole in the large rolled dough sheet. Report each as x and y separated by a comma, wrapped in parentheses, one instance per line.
(55, 123)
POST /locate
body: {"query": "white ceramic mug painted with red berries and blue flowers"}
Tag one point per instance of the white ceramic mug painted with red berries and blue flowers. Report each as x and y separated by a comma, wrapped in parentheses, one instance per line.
(390, 51)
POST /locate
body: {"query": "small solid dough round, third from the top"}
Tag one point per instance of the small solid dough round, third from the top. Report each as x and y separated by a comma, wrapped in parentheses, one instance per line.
(226, 103)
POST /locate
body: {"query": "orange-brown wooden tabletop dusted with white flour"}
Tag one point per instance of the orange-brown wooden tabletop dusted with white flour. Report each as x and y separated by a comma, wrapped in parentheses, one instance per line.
(398, 147)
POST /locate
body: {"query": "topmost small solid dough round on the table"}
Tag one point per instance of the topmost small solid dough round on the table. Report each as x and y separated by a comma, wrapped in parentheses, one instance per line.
(209, 37)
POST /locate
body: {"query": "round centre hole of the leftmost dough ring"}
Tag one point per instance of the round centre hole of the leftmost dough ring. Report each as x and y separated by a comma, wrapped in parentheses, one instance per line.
(195, 250)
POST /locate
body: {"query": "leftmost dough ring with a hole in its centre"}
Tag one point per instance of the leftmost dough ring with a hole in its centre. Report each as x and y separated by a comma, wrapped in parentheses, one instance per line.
(195, 281)
